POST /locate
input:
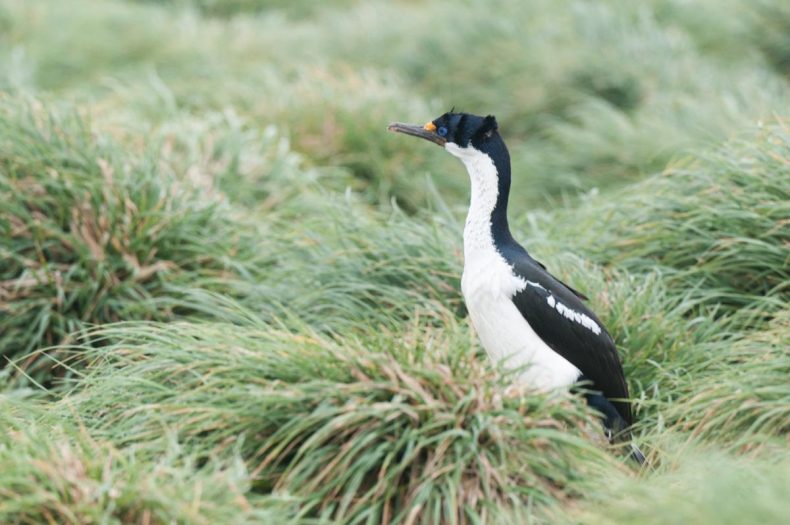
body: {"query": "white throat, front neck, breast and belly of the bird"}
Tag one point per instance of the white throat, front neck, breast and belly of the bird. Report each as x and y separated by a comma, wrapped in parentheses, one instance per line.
(489, 284)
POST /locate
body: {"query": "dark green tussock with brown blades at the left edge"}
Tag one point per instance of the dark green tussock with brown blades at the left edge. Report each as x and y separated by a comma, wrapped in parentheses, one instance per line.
(90, 234)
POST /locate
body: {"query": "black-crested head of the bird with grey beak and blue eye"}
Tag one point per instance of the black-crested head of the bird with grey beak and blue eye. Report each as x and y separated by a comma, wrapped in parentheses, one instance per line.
(458, 133)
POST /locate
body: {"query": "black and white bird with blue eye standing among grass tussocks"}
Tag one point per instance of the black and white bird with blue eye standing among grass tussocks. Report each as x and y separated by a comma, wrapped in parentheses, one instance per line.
(525, 317)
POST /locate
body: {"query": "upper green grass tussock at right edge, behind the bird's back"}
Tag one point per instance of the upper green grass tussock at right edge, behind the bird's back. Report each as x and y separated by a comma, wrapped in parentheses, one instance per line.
(717, 224)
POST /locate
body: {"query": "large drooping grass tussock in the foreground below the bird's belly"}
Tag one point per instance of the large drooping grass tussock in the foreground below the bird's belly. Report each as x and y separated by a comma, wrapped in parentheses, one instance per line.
(415, 431)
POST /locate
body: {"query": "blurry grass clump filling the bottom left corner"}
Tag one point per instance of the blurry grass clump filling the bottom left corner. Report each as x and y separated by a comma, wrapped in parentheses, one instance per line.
(53, 472)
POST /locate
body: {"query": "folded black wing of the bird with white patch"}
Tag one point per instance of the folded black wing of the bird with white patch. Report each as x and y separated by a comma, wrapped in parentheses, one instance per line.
(568, 327)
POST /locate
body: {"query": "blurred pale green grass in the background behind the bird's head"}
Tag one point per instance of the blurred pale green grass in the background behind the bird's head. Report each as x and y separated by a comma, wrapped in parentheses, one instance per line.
(590, 94)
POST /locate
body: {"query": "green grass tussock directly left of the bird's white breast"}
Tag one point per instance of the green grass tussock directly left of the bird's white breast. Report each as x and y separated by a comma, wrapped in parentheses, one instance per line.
(341, 264)
